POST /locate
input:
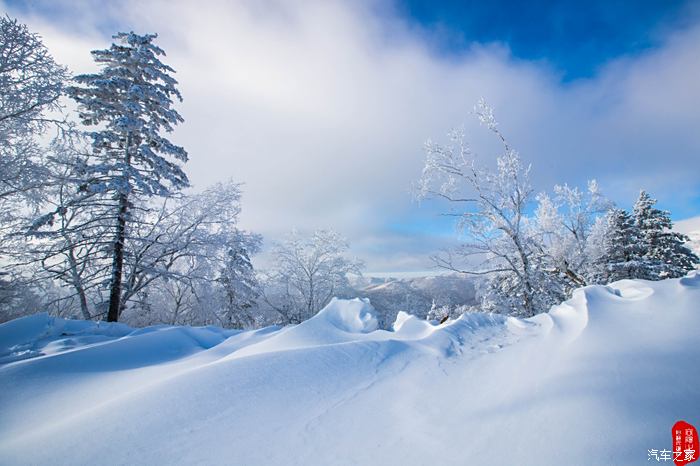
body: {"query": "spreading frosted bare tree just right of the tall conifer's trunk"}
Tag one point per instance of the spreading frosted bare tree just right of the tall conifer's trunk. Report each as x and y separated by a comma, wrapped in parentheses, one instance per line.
(182, 248)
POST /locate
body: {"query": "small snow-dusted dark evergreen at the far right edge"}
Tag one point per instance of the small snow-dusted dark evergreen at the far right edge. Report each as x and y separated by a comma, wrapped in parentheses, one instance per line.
(664, 250)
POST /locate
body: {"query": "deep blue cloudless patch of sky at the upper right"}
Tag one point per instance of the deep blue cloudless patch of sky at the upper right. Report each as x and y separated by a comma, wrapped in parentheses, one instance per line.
(575, 37)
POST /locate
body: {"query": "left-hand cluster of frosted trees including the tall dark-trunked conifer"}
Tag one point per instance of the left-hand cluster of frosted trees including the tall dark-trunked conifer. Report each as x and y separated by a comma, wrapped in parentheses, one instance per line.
(98, 223)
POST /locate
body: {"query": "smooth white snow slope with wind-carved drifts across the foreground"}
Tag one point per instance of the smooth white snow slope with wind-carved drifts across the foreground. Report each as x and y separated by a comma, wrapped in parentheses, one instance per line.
(598, 380)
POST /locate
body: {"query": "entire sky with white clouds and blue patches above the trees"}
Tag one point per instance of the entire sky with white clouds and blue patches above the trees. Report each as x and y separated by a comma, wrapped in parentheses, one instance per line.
(321, 107)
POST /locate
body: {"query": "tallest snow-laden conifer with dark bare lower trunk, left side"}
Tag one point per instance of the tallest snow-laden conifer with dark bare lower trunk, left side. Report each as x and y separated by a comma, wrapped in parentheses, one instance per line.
(130, 102)
